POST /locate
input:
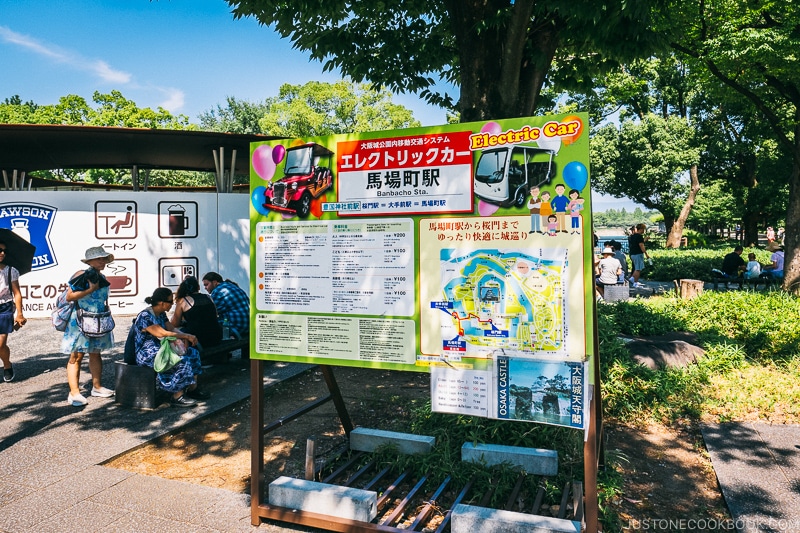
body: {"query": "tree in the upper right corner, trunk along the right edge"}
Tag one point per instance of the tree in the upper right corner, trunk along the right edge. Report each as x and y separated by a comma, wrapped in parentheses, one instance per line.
(751, 49)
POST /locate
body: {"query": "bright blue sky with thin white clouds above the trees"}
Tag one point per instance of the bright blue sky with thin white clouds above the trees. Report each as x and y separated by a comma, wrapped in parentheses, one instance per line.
(186, 56)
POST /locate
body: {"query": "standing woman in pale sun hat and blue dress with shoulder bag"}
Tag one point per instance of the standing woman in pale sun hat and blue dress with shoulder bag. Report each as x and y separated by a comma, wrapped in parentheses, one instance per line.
(89, 290)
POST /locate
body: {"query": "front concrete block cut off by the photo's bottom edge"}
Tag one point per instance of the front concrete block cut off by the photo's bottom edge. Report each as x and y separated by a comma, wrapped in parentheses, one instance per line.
(469, 519)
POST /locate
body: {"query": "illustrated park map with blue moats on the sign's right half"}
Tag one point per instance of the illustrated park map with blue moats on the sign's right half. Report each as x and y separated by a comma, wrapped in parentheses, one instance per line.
(508, 300)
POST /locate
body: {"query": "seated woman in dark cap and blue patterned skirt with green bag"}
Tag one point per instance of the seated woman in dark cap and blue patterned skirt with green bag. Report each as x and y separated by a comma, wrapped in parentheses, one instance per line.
(150, 326)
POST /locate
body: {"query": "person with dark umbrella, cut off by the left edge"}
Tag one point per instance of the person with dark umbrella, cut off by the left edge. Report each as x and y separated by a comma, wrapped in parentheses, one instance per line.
(16, 258)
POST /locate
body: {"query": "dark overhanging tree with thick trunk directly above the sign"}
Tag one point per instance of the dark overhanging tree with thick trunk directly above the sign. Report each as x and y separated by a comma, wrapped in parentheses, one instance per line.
(498, 53)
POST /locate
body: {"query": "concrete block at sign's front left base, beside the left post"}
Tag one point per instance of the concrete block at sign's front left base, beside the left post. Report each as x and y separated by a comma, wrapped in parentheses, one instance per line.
(322, 498)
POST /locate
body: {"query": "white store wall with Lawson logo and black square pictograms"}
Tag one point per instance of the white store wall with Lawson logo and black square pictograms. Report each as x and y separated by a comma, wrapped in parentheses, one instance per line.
(157, 238)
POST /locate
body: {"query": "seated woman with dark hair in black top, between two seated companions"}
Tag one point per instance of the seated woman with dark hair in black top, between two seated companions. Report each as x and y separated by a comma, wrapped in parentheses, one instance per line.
(196, 313)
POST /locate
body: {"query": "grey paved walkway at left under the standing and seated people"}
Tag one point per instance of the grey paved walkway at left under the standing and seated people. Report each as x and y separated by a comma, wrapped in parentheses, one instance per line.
(51, 454)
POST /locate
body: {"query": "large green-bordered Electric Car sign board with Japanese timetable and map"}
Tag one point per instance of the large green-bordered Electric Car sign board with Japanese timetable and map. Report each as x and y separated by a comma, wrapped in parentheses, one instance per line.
(449, 248)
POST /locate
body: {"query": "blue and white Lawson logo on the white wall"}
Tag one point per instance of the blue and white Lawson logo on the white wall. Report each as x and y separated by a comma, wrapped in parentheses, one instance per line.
(33, 223)
